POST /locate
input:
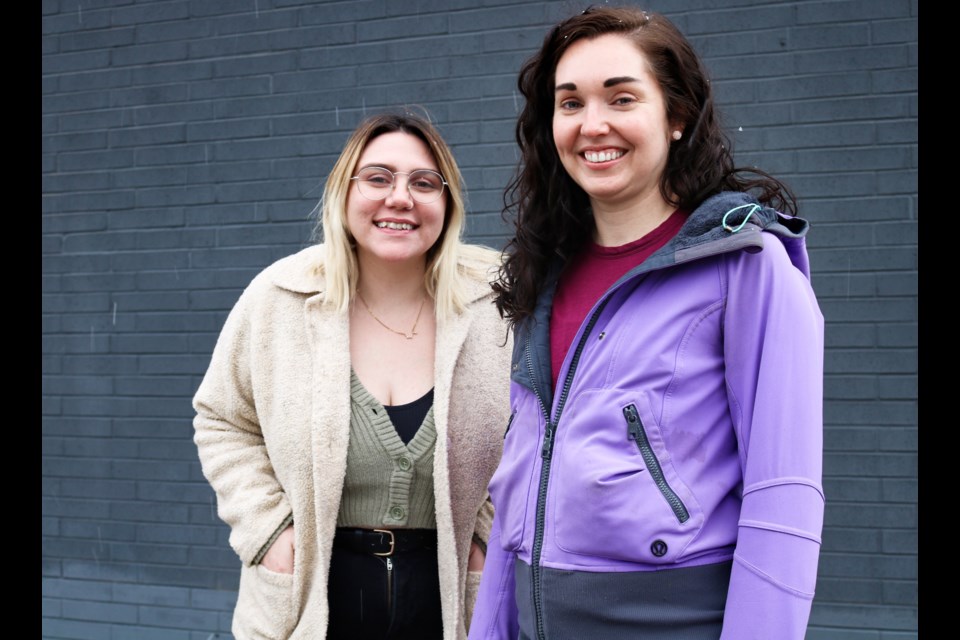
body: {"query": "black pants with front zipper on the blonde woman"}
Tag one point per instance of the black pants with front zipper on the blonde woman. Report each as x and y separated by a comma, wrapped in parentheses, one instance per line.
(389, 598)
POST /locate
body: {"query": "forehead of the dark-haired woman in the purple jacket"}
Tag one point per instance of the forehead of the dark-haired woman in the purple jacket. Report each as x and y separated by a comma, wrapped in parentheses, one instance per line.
(602, 57)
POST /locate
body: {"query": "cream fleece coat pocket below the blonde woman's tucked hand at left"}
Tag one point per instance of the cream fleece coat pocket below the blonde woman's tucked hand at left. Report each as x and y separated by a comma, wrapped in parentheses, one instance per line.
(265, 605)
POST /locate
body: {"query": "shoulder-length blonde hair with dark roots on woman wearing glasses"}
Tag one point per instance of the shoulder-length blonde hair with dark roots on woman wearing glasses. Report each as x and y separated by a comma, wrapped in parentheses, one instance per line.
(444, 273)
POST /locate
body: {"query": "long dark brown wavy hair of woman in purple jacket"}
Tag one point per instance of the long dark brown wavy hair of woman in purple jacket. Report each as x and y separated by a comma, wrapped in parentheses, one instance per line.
(552, 212)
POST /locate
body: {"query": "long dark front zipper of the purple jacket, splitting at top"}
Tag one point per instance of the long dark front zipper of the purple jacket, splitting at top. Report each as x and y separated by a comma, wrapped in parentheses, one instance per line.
(546, 453)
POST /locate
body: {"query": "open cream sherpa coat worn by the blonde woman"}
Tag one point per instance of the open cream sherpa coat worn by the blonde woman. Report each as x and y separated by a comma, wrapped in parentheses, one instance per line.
(272, 425)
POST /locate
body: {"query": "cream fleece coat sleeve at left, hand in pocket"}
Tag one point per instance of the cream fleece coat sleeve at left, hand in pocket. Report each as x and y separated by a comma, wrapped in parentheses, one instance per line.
(231, 445)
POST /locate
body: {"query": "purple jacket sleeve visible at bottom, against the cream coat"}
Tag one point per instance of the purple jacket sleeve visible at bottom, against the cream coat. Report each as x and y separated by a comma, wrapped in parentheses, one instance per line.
(495, 613)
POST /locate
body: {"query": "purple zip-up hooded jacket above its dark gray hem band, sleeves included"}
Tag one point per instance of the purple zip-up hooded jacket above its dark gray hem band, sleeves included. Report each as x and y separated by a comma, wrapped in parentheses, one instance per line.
(686, 429)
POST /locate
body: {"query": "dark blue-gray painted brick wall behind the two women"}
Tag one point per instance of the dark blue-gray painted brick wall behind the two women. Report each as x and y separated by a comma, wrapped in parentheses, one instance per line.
(185, 144)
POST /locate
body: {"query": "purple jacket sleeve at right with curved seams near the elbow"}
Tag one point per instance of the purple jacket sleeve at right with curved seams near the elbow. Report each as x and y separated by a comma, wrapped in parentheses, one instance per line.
(773, 341)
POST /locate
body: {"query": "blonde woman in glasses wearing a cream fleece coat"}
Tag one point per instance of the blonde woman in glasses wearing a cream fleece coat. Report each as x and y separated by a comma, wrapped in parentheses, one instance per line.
(354, 408)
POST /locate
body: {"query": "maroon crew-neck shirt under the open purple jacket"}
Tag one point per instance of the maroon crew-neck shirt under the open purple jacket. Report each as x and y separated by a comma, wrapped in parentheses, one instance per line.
(589, 275)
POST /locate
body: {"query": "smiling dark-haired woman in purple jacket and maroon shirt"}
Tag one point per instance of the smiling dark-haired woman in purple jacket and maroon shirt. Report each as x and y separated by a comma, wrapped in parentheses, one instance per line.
(661, 476)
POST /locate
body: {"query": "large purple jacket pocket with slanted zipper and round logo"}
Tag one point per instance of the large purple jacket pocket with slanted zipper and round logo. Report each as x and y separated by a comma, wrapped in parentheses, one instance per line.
(617, 493)
